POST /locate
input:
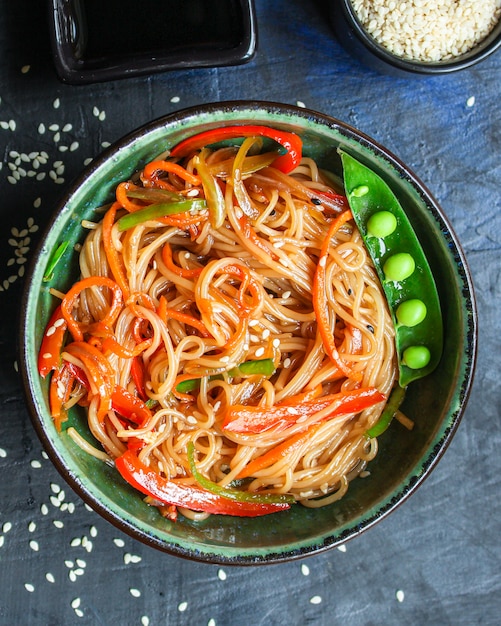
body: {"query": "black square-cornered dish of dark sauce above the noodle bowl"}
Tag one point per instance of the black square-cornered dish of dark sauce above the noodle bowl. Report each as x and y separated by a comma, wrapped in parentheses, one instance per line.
(96, 40)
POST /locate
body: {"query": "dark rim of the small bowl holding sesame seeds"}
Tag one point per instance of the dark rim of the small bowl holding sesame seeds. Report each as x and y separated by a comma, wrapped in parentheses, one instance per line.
(481, 51)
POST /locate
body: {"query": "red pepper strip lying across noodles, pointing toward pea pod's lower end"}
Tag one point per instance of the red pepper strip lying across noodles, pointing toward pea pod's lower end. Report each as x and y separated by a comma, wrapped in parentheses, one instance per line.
(256, 419)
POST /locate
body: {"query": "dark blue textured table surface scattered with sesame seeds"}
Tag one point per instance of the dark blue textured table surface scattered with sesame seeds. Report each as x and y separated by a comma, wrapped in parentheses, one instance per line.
(437, 559)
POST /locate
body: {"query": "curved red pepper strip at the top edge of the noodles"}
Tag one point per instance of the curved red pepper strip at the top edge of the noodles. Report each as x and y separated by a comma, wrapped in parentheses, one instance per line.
(290, 141)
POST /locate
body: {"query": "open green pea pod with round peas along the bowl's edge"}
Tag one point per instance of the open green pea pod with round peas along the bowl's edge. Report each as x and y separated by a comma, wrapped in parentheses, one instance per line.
(402, 267)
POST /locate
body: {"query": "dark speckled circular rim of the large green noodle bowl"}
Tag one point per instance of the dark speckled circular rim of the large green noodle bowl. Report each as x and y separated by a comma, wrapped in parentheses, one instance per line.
(398, 496)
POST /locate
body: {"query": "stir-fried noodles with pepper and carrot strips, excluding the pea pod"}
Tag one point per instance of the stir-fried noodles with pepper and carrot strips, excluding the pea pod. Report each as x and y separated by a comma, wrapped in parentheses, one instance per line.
(228, 336)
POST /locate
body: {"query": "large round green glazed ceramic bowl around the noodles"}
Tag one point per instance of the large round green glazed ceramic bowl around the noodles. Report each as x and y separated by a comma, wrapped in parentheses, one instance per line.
(435, 403)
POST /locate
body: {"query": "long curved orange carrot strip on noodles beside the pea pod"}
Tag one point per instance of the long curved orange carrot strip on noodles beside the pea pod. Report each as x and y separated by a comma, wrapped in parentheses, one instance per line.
(320, 295)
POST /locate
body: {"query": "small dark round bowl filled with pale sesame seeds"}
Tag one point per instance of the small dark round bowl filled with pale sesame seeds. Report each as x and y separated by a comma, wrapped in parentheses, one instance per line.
(418, 36)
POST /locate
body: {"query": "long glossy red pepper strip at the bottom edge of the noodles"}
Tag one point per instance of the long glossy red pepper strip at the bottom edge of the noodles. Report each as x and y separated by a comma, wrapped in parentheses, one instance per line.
(192, 497)
